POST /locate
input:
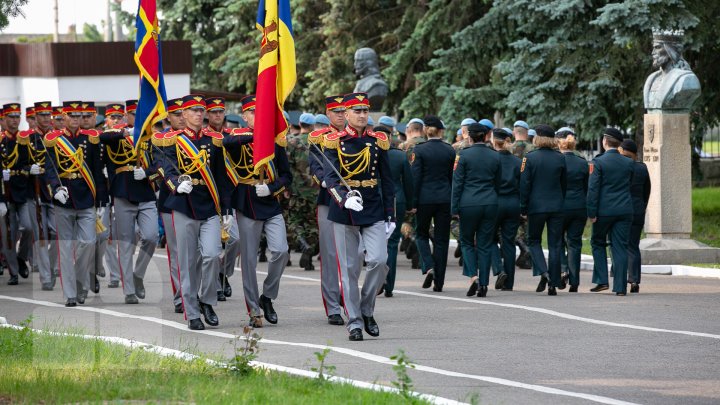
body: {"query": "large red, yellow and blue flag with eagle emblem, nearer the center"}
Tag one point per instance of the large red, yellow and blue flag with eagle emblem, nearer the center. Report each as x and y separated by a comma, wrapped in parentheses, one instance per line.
(276, 77)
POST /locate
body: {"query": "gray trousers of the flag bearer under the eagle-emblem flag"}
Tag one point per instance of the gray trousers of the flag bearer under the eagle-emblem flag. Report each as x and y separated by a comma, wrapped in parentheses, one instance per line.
(276, 235)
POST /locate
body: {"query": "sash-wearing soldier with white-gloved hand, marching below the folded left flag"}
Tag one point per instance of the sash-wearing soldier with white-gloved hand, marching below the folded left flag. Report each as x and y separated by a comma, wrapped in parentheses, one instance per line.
(192, 167)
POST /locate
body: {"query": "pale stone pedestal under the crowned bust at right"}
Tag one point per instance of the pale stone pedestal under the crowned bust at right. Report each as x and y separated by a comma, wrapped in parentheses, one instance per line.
(668, 224)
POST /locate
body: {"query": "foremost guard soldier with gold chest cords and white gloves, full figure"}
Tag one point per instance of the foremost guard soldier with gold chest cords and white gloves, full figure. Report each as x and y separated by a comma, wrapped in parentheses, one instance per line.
(363, 207)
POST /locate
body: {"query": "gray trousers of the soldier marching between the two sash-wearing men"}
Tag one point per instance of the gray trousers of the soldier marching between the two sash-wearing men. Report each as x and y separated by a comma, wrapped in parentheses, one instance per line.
(127, 214)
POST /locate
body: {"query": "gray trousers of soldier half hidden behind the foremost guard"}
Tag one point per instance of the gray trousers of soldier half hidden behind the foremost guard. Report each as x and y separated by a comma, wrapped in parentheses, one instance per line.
(329, 272)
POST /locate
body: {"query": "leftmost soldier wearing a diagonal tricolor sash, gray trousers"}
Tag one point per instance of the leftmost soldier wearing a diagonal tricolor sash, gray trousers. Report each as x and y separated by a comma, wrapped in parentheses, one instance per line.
(72, 167)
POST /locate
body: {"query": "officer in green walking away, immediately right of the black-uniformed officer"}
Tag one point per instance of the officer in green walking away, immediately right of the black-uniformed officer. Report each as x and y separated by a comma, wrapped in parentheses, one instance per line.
(476, 181)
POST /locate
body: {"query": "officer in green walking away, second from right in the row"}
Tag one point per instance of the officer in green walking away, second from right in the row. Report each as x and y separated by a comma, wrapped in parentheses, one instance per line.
(610, 209)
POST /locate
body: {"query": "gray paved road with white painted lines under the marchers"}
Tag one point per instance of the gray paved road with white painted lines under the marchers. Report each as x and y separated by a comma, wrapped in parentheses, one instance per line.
(659, 347)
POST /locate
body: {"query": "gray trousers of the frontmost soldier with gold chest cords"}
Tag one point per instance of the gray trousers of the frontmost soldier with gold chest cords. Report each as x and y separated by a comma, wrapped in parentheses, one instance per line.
(347, 240)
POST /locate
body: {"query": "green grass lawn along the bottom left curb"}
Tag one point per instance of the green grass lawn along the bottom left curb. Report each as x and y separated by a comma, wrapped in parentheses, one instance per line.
(39, 368)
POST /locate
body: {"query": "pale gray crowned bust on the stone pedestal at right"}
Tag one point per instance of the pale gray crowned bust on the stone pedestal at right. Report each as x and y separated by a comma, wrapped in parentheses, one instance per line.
(673, 87)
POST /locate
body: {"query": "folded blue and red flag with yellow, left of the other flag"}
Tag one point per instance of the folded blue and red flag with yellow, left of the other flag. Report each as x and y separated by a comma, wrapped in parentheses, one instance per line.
(152, 103)
